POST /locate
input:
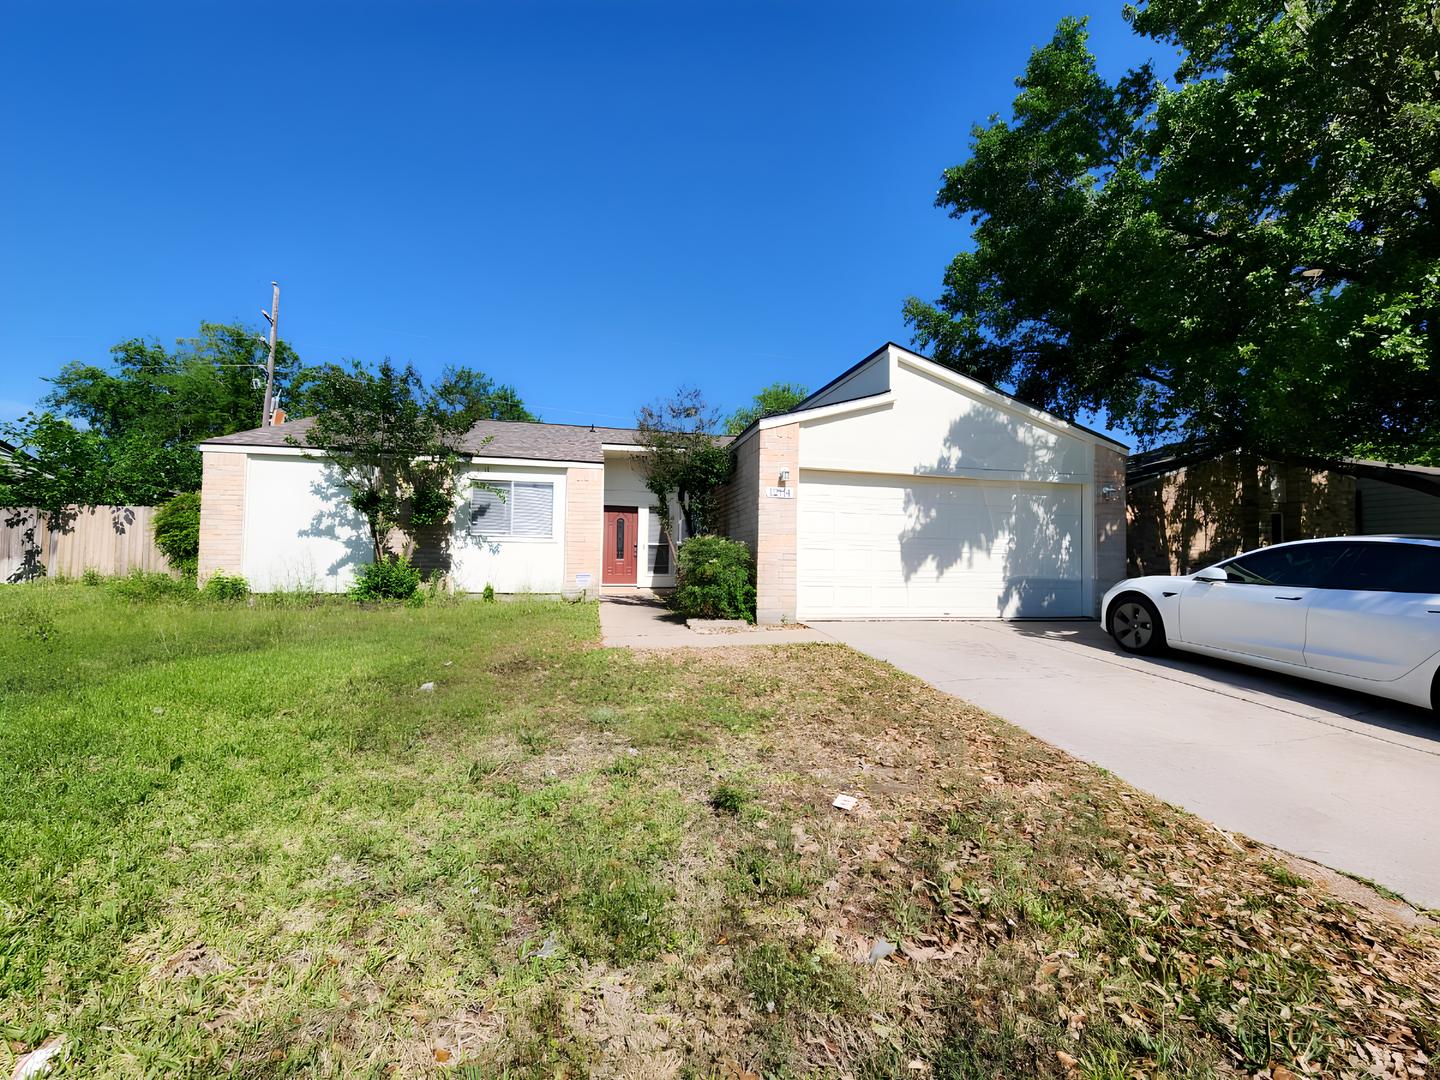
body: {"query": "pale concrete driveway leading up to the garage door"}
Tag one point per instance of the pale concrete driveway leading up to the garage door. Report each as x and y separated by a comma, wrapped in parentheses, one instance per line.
(1340, 778)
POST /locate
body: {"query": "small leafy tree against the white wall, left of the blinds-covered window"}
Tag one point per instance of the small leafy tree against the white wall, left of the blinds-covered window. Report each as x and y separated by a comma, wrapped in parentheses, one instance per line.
(392, 443)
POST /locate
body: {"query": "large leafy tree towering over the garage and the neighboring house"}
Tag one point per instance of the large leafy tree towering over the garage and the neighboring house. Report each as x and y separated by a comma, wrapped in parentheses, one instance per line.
(1245, 253)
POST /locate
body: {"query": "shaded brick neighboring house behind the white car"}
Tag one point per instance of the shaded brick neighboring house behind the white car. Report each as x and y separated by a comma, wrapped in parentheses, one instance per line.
(1189, 509)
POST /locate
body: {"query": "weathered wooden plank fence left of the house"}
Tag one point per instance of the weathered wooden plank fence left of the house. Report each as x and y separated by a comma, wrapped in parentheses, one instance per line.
(112, 541)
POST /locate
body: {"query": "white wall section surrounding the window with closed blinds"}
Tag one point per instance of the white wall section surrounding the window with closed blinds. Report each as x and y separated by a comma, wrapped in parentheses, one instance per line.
(512, 565)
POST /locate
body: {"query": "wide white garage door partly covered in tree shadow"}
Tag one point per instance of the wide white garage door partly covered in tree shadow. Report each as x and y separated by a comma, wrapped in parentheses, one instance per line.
(905, 546)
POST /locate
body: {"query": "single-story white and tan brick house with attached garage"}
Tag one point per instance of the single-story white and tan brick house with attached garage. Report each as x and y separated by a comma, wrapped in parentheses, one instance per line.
(898, 490)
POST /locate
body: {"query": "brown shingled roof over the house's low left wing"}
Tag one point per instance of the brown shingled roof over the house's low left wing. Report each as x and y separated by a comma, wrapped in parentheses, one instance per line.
(521, 440)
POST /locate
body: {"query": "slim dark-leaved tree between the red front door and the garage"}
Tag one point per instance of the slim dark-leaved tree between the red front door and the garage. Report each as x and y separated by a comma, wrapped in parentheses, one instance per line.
(683, 460)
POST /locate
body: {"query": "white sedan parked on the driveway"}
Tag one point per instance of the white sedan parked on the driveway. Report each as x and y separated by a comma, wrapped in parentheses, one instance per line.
(1360, 613)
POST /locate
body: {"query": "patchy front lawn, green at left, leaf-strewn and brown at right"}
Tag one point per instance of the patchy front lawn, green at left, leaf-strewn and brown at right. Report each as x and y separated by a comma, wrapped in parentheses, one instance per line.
(244, 840)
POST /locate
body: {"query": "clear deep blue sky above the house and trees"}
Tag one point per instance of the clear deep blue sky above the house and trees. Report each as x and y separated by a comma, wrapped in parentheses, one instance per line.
(595, 202)
